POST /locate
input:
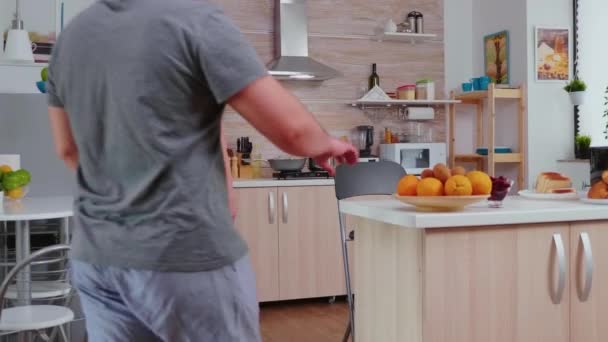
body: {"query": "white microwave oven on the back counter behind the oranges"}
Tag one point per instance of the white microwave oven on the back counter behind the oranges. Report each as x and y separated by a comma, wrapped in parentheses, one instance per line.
(415, 158)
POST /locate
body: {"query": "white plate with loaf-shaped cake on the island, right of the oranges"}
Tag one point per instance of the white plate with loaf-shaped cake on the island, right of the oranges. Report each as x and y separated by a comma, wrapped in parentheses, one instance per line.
(551, 186)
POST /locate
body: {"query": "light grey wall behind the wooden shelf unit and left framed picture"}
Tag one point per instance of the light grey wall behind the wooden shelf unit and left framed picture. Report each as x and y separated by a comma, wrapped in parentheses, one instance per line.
(467, 22)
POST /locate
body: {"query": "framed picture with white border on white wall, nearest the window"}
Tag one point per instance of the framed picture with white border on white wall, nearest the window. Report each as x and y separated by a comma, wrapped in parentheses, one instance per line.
(552, 54)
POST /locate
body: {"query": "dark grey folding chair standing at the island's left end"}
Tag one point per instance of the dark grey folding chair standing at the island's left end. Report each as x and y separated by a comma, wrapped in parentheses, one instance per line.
(362, 179)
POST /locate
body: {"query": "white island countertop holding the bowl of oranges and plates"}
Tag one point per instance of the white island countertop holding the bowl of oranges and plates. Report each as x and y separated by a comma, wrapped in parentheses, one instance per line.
(516, 210)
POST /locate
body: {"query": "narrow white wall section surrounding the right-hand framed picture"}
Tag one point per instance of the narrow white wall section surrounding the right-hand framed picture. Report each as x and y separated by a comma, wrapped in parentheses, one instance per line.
(550, 114)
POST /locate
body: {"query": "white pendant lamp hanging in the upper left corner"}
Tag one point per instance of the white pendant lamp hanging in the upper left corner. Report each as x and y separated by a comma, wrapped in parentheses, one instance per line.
(18, 44)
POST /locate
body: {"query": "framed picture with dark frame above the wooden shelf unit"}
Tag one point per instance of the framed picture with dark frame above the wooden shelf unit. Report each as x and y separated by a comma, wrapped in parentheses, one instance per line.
(496, 57)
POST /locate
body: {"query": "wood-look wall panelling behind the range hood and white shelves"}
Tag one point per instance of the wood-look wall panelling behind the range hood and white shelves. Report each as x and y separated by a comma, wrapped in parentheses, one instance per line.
(341, 35)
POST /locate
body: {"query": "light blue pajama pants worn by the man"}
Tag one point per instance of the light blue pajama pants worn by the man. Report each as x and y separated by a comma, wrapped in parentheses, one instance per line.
(140, 306)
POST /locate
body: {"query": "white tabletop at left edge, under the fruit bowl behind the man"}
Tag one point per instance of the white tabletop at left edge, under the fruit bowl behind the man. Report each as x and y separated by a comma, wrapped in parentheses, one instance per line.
(37, 208)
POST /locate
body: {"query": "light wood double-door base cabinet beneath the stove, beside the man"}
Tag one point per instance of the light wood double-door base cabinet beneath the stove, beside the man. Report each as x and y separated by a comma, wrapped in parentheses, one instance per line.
(294, 240)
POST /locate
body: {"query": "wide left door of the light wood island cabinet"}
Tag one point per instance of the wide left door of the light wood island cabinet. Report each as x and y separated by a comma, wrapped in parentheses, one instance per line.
(496, 284)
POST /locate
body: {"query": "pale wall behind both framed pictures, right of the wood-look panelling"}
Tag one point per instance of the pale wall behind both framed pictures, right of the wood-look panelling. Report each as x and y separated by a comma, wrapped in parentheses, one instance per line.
(550, 118)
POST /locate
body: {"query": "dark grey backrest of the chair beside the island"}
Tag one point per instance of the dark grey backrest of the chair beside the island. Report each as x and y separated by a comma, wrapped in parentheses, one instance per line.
(364, 179)
